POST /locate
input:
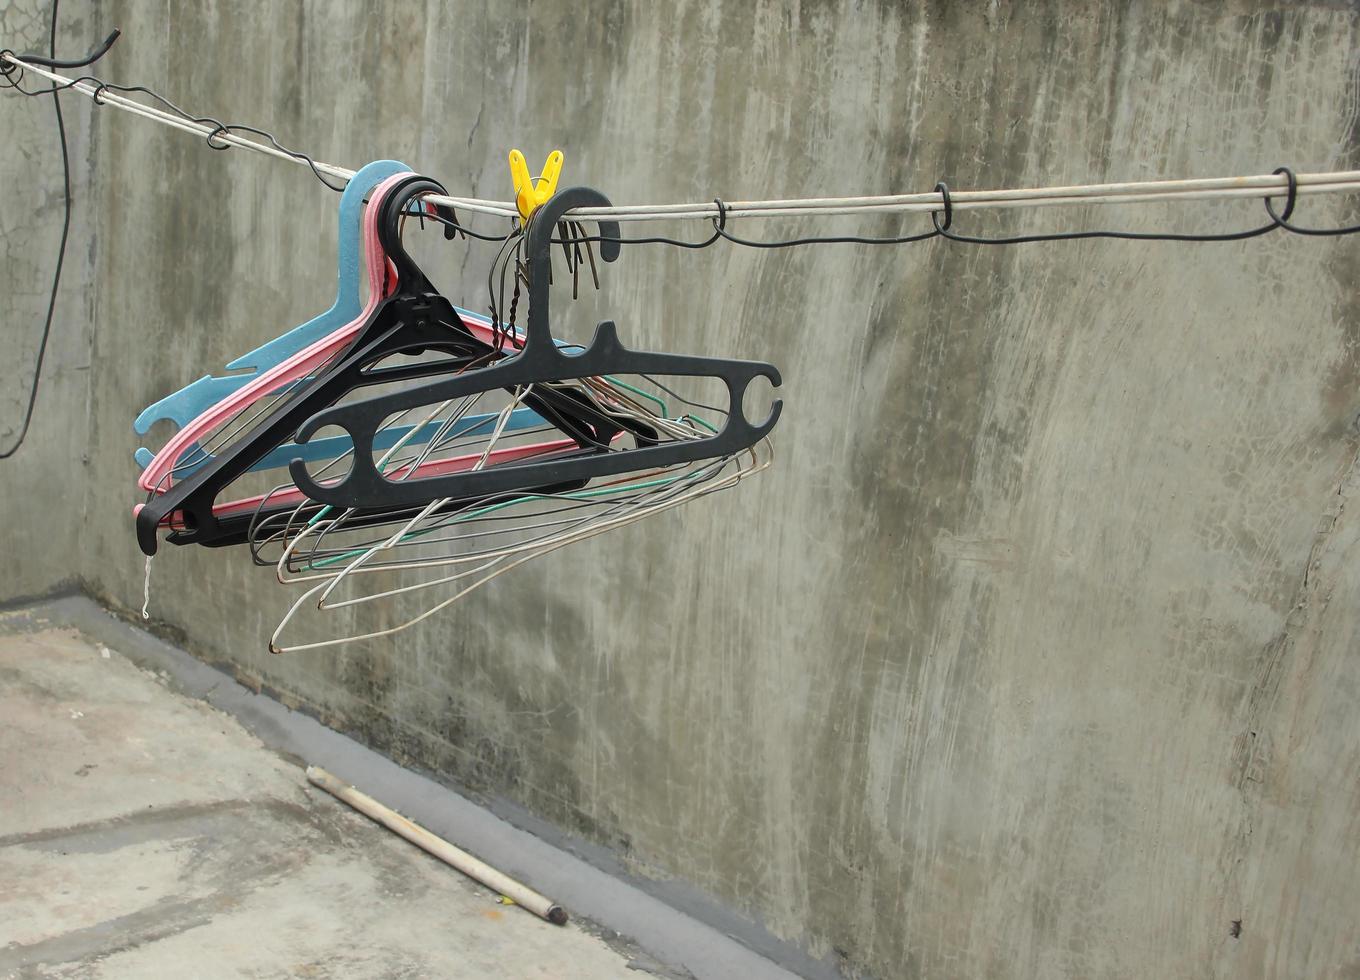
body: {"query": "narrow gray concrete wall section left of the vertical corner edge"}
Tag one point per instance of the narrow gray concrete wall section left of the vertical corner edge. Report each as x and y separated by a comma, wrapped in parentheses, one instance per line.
(46, 487)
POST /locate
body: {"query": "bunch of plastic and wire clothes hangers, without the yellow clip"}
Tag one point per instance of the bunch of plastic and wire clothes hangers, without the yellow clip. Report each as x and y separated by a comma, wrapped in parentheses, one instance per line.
(401, 433)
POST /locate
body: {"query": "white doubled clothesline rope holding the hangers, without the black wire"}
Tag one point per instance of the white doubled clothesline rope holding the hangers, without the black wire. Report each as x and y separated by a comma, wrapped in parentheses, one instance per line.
(1128, 192)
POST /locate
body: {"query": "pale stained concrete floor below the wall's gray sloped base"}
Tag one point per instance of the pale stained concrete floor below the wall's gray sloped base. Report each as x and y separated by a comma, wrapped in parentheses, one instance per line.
(146, 834)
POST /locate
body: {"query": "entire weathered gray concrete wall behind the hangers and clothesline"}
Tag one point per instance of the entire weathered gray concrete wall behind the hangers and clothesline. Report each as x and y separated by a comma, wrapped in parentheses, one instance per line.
(1032, 657)
